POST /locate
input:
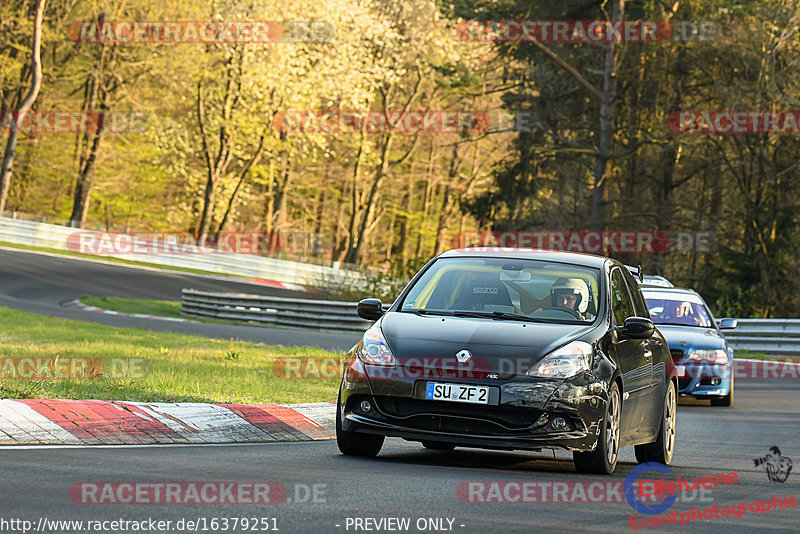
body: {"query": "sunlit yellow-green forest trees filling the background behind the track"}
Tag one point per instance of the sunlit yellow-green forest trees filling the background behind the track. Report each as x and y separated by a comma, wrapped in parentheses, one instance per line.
(420, 193)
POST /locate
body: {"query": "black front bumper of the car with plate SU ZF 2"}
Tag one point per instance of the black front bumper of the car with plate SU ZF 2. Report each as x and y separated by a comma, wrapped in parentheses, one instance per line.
(520, 415)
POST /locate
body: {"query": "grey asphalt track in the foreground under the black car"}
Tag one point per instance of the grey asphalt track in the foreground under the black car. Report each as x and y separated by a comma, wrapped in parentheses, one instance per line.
(407, 481)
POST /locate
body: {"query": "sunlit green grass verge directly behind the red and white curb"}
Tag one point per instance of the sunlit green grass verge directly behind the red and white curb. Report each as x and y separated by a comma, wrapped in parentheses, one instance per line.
(139, 365)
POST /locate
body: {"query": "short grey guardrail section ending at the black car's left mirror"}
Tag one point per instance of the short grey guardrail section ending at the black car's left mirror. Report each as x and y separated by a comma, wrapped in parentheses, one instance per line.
(308, 313)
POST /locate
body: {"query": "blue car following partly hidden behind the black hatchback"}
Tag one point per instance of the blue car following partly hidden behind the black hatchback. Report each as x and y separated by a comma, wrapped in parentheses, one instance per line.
(702, 356)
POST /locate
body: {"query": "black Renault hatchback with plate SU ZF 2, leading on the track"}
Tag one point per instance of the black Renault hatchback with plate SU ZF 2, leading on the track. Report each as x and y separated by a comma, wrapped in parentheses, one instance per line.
(513, 350)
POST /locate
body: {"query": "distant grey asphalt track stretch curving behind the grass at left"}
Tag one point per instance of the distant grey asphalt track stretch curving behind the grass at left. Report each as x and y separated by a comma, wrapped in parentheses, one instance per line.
(43, 283)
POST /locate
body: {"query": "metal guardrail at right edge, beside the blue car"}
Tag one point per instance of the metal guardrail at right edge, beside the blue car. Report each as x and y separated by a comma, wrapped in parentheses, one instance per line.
(775, 337)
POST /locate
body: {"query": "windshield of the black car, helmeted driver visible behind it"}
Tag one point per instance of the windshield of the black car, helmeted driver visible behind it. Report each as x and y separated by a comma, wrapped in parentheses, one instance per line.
(506, 289)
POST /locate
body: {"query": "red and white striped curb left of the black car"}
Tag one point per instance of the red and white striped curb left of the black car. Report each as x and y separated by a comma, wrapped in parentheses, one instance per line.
(97, 422)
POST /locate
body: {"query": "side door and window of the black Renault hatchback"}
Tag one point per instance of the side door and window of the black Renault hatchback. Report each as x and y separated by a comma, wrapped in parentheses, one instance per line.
(635, 365)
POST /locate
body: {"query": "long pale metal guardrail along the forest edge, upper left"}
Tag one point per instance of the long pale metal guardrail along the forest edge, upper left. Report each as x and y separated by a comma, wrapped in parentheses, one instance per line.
(58, 237)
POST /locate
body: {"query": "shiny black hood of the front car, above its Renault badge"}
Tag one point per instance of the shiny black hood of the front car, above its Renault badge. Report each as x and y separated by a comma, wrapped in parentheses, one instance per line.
(414, 336)
